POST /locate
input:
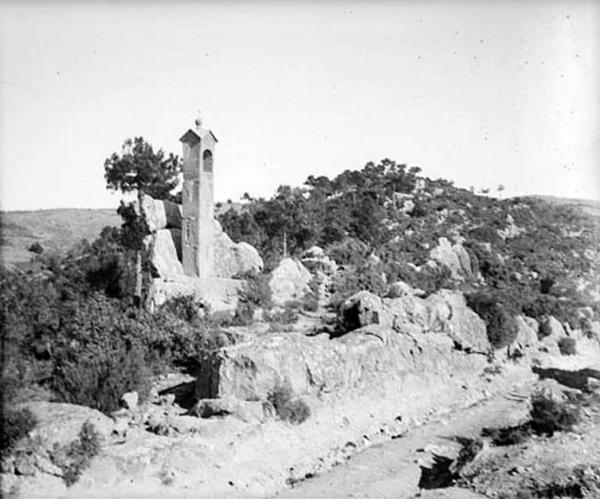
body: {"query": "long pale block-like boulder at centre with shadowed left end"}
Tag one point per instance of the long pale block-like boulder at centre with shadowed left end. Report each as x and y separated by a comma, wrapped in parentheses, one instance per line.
(251, 371)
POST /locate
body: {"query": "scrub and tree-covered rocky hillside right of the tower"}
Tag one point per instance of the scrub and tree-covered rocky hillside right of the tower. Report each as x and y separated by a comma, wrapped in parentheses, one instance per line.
(380, 223)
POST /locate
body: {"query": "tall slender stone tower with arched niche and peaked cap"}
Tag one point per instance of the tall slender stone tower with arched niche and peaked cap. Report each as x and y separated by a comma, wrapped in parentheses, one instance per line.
(197, 235)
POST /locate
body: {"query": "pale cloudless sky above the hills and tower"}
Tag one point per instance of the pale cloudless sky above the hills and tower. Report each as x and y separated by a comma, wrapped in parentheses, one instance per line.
(481, 93)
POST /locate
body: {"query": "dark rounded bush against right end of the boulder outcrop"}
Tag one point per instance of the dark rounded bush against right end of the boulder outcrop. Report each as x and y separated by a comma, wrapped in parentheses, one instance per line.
(502, 328)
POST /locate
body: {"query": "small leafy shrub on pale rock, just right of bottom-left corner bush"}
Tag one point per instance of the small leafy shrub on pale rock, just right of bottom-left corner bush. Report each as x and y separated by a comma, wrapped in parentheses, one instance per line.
(75, 458)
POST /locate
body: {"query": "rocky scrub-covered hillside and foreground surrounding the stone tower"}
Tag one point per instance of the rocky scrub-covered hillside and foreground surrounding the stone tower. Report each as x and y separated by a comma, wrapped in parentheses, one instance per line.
(368, 362)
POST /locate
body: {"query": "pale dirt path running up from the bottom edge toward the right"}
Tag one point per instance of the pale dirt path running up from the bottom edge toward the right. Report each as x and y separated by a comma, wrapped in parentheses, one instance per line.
(391, 469)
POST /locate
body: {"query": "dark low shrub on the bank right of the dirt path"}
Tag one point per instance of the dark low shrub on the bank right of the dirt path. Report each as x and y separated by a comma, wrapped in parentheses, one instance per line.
(549, 415)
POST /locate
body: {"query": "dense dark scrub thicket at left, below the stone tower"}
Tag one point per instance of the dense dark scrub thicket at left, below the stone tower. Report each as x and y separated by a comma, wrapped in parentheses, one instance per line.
(71, 330)
